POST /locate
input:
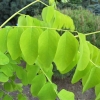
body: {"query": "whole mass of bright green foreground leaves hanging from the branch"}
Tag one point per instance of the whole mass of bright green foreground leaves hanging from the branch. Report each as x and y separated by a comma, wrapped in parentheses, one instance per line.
(38, 43)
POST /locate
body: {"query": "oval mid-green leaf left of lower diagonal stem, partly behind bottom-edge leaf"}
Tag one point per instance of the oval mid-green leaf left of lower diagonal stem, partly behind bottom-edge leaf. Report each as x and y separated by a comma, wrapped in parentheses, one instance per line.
(37, 84)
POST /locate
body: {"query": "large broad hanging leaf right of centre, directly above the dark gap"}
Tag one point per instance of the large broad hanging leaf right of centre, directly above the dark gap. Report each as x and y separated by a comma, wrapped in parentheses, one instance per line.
(66, 51)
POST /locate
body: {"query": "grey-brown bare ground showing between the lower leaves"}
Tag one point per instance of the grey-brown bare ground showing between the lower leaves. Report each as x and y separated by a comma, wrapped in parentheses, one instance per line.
(64, 84)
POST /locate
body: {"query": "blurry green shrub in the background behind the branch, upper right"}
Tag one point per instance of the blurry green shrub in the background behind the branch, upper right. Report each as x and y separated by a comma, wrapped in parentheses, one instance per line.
(85, 22)
